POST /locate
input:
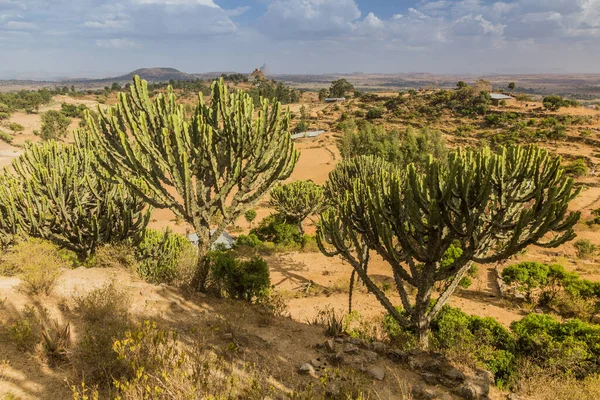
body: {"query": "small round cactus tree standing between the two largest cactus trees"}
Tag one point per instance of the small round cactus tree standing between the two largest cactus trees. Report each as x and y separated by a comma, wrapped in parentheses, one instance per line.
(297, 201)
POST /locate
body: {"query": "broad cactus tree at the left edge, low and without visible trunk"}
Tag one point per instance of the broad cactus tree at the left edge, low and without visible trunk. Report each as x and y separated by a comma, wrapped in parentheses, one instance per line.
(53, 193)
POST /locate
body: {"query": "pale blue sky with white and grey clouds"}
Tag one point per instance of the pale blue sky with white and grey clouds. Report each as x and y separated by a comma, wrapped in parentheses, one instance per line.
(98, 38)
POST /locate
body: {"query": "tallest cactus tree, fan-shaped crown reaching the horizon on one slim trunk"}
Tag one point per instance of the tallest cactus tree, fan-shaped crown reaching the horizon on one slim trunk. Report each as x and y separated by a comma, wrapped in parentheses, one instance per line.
(217, 162)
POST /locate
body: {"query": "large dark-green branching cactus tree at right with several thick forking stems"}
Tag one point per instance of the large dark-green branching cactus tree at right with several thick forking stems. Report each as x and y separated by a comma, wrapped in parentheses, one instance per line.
(430, 225)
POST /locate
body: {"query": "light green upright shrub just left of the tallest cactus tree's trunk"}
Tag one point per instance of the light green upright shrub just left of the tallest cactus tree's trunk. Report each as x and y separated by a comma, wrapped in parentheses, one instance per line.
(159, 254)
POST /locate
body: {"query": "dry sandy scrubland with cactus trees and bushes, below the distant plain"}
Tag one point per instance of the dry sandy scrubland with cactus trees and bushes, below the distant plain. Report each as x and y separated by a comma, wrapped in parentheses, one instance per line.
(446, 247)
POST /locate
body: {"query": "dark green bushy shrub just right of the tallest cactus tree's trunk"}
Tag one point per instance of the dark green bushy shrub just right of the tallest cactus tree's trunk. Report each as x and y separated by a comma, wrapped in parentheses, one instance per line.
(244, 280)
